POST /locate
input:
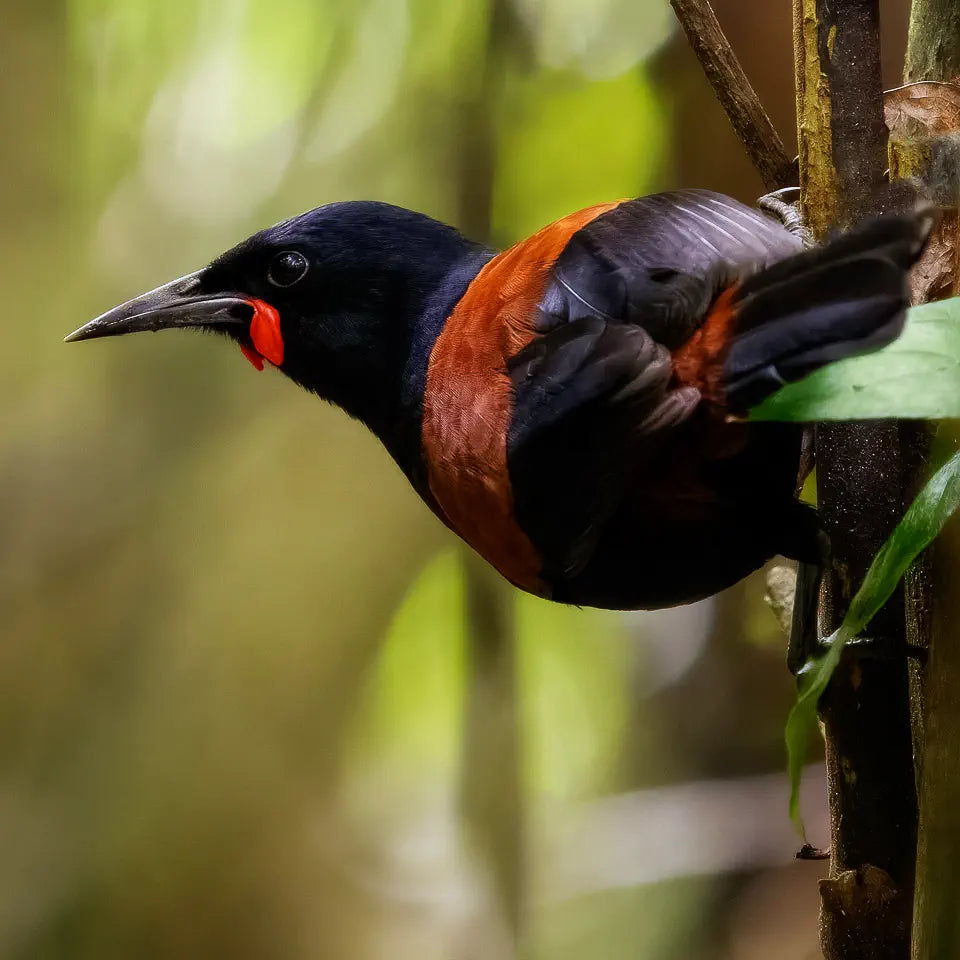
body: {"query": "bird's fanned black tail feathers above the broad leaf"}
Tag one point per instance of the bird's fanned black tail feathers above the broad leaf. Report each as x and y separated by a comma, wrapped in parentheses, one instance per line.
(846, 297)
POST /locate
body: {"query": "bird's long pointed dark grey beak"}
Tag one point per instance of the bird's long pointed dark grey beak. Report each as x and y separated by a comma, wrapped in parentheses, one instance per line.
(176, 304)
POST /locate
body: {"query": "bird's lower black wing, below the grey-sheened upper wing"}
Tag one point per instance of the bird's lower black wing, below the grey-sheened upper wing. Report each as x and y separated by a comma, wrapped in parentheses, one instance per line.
(592, 400)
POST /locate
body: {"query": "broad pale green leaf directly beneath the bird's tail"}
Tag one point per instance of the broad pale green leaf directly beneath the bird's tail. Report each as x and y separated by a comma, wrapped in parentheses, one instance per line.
(915, 377)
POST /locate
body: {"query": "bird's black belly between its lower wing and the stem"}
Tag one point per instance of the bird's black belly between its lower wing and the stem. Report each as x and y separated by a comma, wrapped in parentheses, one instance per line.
(696, 523)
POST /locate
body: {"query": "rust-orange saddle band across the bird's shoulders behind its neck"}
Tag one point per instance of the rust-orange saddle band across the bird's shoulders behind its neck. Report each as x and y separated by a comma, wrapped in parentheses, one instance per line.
(468, 399)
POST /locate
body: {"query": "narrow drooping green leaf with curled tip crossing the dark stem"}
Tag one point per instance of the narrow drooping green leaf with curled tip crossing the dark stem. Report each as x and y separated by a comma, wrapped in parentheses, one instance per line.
(919, 527)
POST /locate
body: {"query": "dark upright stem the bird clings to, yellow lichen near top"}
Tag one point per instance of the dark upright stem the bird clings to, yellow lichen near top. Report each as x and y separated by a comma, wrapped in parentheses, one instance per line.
(866, 902)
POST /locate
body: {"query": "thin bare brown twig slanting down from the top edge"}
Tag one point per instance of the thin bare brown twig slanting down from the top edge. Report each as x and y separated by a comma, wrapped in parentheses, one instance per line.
(735, 93)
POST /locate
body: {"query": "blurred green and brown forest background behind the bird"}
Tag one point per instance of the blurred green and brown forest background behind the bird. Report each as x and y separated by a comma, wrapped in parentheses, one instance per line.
(254, 700)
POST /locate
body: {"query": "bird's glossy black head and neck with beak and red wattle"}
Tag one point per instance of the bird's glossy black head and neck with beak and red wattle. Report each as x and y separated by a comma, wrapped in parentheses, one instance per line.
(346, 300)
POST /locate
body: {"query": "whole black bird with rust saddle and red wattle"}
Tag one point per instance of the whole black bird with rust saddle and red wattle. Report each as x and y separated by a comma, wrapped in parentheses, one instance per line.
(574, 407)
